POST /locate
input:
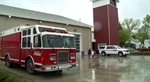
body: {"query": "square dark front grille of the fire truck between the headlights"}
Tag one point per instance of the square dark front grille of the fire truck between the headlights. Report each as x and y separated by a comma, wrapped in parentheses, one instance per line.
(62, 57)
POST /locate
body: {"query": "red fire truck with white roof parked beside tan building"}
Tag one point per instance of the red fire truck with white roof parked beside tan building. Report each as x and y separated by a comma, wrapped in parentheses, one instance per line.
(38, 48)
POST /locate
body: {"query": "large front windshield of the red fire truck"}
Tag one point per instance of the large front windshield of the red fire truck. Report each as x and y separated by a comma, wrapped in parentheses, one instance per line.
(58, 41)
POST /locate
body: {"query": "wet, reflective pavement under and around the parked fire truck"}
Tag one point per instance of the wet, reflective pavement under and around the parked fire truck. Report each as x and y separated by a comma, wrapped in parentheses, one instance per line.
(98, 69)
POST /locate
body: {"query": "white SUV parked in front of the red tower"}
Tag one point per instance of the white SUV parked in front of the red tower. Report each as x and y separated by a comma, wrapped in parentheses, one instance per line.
(113, 49)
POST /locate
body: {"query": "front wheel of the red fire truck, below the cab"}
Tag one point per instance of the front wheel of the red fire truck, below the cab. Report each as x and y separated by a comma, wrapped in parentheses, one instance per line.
(30, 67)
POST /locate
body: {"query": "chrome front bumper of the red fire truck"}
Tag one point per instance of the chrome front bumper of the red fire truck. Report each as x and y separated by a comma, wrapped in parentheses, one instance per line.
(57, 67)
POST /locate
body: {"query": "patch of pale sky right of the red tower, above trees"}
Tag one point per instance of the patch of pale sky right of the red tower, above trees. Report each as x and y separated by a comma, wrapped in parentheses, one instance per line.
(136, 9)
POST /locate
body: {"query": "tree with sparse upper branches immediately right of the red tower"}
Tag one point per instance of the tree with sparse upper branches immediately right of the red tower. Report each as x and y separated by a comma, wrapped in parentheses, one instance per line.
(126, 30)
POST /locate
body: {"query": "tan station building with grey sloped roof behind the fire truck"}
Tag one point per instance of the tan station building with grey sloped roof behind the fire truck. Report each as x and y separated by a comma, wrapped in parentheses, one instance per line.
(11, 17)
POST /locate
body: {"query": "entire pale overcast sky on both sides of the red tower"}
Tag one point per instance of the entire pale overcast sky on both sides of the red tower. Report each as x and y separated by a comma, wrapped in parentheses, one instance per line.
(81, 10)
